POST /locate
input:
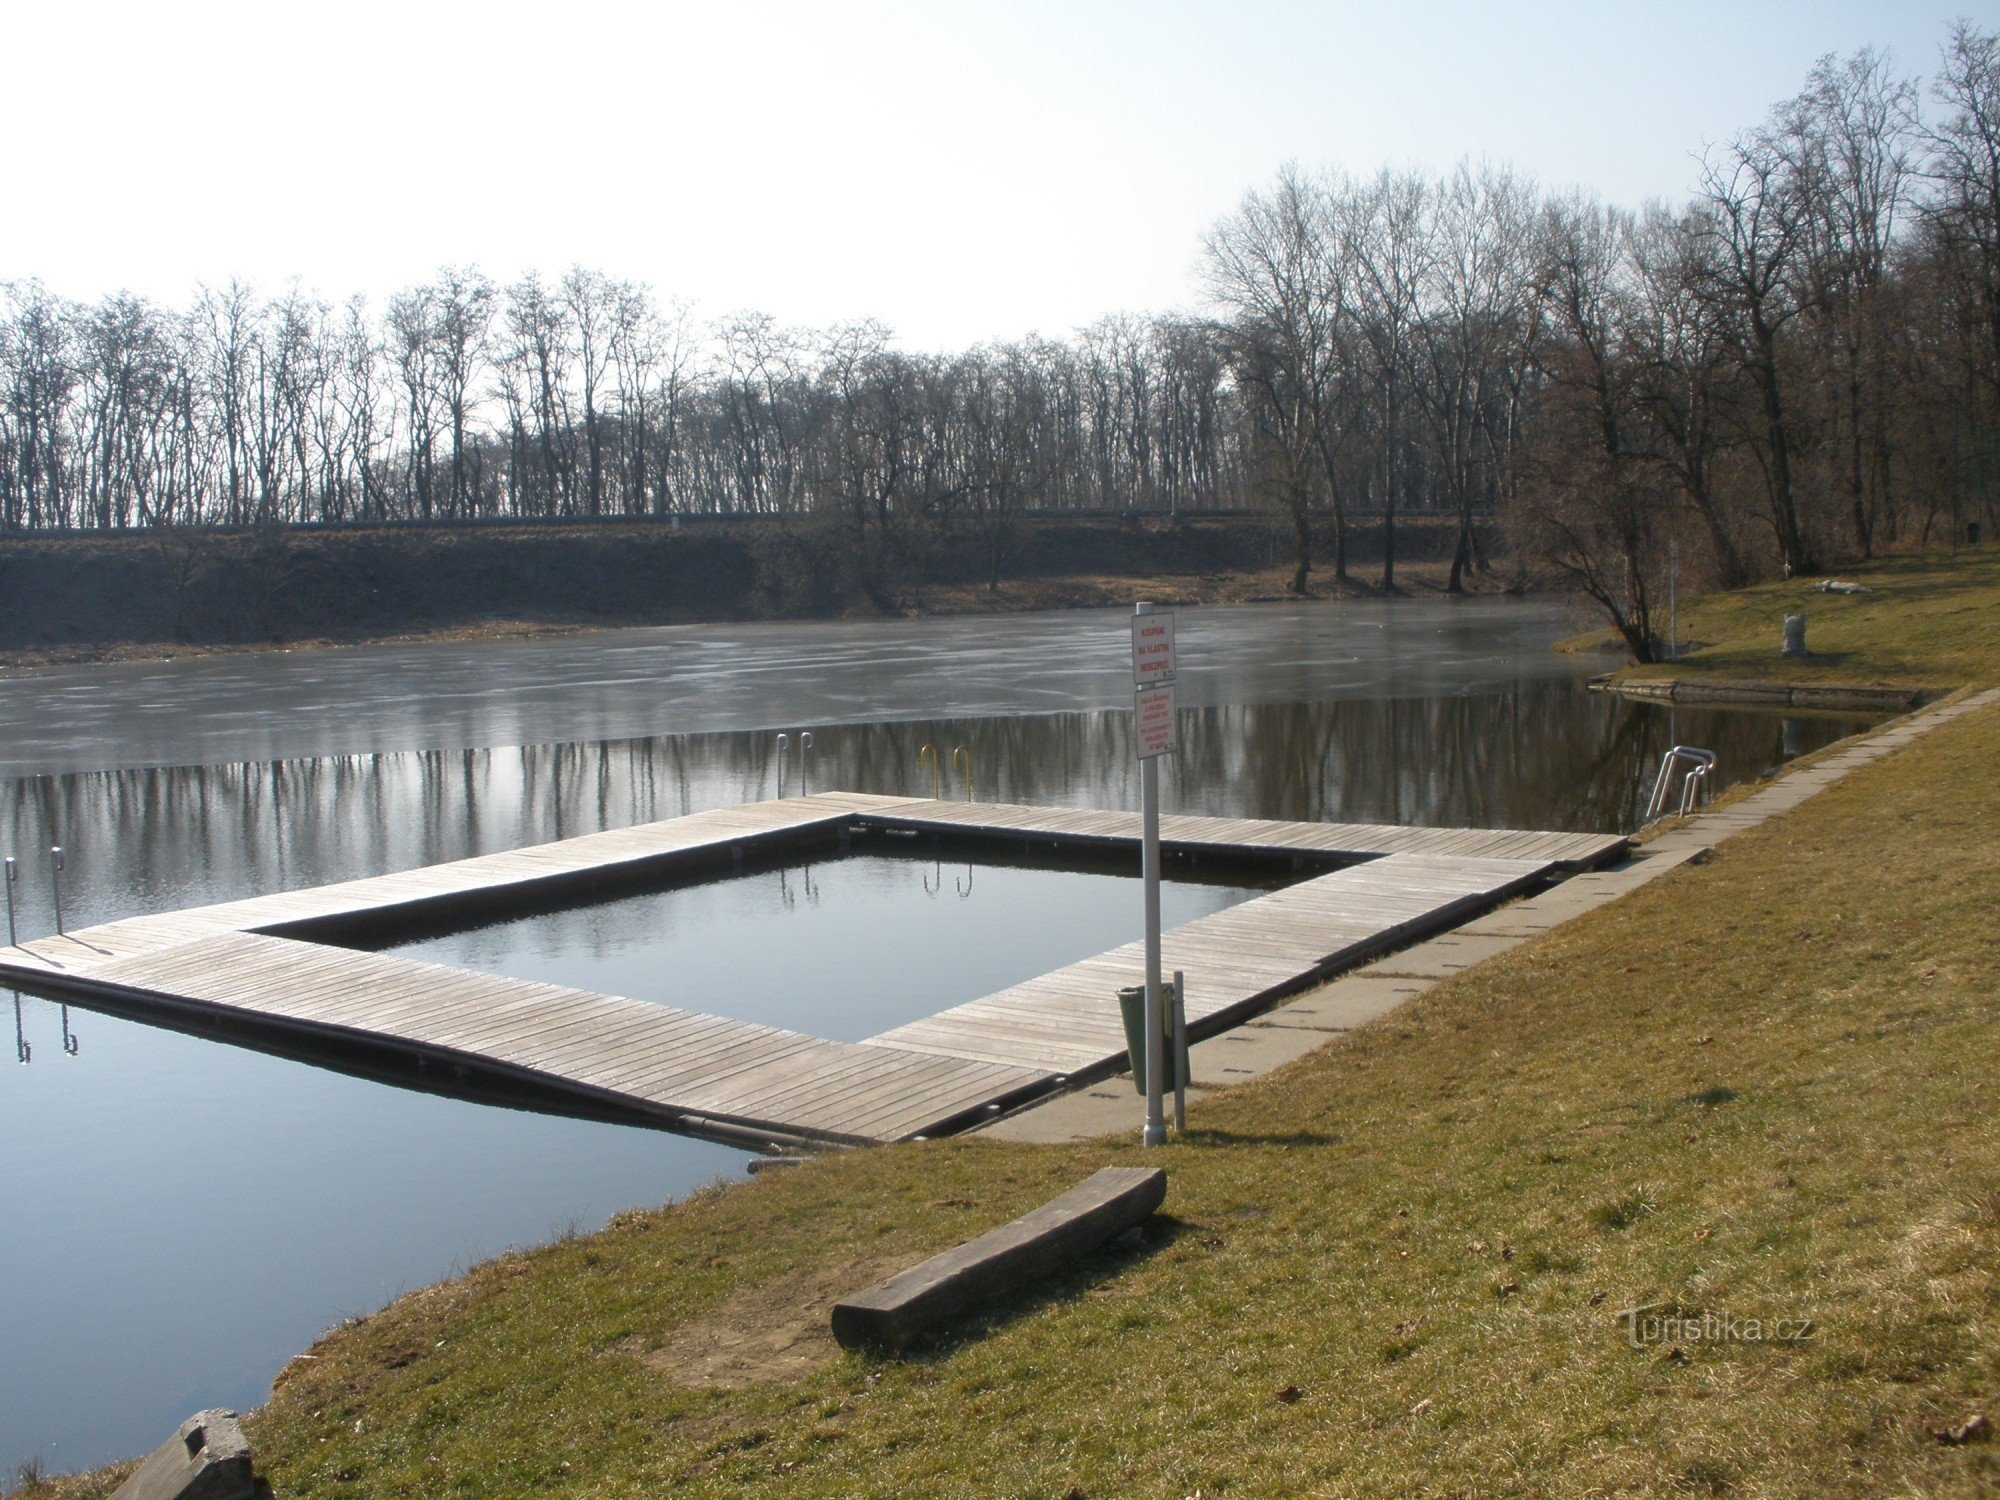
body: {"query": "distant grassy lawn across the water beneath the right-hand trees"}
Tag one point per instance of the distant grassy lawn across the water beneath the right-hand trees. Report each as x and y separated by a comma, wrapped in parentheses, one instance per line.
(1925, 621)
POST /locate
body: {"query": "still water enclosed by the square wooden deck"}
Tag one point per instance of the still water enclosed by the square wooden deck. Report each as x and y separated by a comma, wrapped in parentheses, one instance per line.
(841, 947)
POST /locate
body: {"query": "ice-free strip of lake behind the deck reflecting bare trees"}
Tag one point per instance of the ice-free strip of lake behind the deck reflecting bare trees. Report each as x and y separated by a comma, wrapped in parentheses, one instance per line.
(1539, 757)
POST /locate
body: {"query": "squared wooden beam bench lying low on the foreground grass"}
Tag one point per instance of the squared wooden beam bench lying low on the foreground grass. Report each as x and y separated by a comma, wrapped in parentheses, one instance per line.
(1003, 1261)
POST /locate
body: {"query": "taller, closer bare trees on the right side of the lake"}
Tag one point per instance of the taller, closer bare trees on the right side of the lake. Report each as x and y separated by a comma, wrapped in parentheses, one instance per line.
(1799, 363)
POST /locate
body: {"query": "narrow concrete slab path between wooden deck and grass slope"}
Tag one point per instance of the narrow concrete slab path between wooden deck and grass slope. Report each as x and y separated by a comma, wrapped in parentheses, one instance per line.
(1355, 999)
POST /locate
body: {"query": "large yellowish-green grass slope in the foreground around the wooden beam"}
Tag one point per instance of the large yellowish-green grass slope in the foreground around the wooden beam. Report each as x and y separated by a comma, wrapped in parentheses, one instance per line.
(1759, 1089)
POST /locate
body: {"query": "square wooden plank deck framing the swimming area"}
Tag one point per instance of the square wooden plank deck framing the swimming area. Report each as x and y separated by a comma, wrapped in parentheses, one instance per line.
(253, 967)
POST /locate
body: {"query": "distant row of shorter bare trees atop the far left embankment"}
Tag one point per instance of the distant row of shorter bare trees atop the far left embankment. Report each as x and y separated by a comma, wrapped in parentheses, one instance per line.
(579, 399)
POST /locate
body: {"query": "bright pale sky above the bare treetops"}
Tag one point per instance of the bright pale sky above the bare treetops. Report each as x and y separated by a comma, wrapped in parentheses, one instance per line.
(957, 171)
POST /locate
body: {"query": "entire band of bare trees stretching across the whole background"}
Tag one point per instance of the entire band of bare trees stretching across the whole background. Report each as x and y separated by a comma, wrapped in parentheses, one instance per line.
(1799, 363)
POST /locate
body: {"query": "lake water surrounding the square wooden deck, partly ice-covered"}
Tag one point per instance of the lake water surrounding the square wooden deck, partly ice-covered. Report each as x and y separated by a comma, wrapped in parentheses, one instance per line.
(181, 1215)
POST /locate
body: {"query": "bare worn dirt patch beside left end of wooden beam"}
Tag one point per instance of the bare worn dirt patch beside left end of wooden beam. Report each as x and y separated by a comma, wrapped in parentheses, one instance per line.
(769, 1333)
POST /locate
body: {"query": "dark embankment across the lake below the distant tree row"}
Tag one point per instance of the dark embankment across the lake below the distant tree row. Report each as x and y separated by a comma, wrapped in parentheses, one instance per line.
(263, 587)
